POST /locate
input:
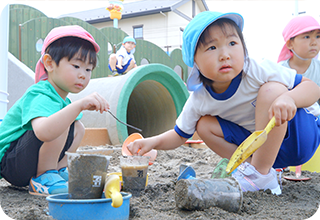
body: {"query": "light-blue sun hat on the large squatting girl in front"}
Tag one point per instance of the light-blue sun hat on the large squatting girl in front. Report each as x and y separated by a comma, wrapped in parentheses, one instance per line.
(195, 28)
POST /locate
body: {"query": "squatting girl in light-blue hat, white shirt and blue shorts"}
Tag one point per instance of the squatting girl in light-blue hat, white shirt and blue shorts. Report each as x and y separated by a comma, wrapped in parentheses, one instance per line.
(233, 96)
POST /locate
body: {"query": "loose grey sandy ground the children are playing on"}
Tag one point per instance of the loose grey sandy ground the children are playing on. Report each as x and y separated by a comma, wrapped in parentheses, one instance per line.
(299, 200)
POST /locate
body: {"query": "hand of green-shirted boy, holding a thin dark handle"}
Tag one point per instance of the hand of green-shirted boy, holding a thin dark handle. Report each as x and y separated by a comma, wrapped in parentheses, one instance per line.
(94, 102)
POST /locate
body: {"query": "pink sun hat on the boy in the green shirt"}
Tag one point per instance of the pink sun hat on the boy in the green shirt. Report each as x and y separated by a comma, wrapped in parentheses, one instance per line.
(55, 34)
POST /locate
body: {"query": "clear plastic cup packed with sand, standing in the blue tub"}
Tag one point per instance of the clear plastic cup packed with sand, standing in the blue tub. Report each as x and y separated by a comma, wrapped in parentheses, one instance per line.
(87, 174)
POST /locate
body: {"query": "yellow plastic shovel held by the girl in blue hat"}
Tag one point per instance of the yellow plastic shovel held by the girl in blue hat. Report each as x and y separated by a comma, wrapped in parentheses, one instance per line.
(249, 146)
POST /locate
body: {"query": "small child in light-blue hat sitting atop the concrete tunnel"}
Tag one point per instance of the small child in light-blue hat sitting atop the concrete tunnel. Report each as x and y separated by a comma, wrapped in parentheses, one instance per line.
(123, 61)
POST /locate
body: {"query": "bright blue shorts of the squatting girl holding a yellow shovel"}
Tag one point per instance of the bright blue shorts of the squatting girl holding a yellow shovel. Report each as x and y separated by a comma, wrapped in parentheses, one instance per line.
(299, 145)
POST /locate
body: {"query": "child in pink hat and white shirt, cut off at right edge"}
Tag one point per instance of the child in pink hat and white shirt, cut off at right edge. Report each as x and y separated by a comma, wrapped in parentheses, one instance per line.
(302, 37)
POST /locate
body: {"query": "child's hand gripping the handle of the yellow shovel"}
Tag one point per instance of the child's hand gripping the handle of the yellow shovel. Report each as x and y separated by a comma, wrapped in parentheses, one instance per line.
(283, 108)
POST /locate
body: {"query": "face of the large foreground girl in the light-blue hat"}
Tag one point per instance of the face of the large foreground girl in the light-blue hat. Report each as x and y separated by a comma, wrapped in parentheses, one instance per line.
(221, 57)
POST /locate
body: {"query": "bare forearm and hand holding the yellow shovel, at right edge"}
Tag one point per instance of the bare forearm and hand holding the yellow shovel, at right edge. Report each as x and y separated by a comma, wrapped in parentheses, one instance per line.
(303, 95)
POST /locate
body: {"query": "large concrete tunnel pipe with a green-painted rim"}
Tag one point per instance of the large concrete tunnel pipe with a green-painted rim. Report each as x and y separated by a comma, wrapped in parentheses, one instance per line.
(149, 97)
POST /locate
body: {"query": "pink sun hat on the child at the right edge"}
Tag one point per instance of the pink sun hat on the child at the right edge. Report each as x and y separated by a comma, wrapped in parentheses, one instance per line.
(296, 26)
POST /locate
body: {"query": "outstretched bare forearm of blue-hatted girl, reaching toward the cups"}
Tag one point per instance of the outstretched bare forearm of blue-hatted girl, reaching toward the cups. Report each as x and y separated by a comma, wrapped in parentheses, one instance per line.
(166, 141)
